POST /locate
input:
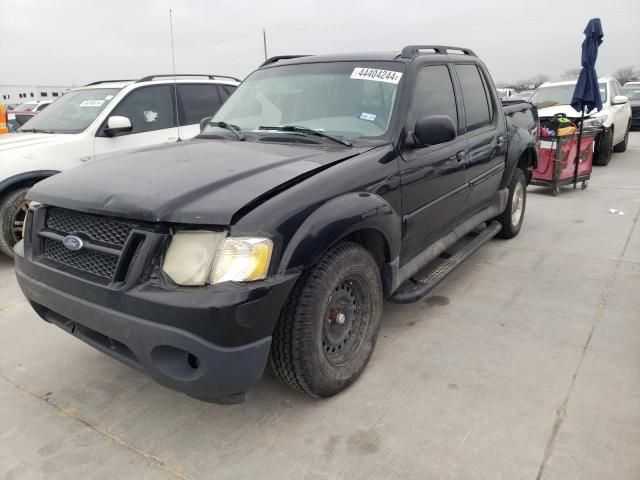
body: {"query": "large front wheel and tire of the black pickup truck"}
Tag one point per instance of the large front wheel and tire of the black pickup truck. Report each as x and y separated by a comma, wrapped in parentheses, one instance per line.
(315, 350)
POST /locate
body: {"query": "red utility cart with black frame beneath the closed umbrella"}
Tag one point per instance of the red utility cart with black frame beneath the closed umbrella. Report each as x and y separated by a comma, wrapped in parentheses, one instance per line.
(557, 156)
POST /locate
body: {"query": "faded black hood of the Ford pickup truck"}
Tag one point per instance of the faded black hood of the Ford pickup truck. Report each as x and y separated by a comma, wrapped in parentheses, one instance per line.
(198, 181)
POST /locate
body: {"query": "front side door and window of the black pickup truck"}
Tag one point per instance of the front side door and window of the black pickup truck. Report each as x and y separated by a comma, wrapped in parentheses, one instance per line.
(433, 179)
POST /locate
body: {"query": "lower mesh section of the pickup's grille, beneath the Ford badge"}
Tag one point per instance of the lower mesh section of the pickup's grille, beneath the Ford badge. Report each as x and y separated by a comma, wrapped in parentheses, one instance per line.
(97, 263)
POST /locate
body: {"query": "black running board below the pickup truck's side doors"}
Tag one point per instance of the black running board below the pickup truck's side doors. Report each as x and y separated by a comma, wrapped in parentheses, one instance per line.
(414, 289)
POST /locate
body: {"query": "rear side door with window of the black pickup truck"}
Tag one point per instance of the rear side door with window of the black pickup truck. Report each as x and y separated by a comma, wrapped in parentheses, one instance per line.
(485, 135)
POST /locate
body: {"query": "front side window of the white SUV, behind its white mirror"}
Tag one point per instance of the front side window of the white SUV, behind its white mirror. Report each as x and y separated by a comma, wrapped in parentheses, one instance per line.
(148, 108)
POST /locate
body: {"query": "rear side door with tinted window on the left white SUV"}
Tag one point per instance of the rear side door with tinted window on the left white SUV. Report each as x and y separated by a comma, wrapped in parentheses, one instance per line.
(195, 102)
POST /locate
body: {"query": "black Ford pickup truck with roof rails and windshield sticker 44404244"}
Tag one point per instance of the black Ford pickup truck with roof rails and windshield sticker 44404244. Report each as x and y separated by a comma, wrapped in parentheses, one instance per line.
(323, 186)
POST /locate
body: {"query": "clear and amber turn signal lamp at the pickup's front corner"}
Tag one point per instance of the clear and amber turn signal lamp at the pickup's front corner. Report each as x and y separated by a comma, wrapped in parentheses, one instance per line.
(243, 259)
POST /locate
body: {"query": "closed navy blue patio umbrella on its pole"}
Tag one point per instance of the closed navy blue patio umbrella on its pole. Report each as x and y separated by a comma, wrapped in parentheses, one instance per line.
(586, 96)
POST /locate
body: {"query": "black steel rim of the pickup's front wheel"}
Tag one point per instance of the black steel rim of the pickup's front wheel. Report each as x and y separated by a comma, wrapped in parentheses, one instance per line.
(345, 320)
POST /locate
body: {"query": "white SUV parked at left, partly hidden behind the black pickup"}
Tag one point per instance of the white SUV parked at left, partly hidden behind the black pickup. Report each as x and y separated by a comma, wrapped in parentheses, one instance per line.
(100, 118)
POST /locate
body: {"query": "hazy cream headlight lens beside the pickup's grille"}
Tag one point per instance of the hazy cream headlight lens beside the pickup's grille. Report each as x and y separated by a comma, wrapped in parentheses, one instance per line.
(190, 256)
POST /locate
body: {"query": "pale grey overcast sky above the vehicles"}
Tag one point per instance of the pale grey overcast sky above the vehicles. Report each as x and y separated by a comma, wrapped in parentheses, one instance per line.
(78, 41)
